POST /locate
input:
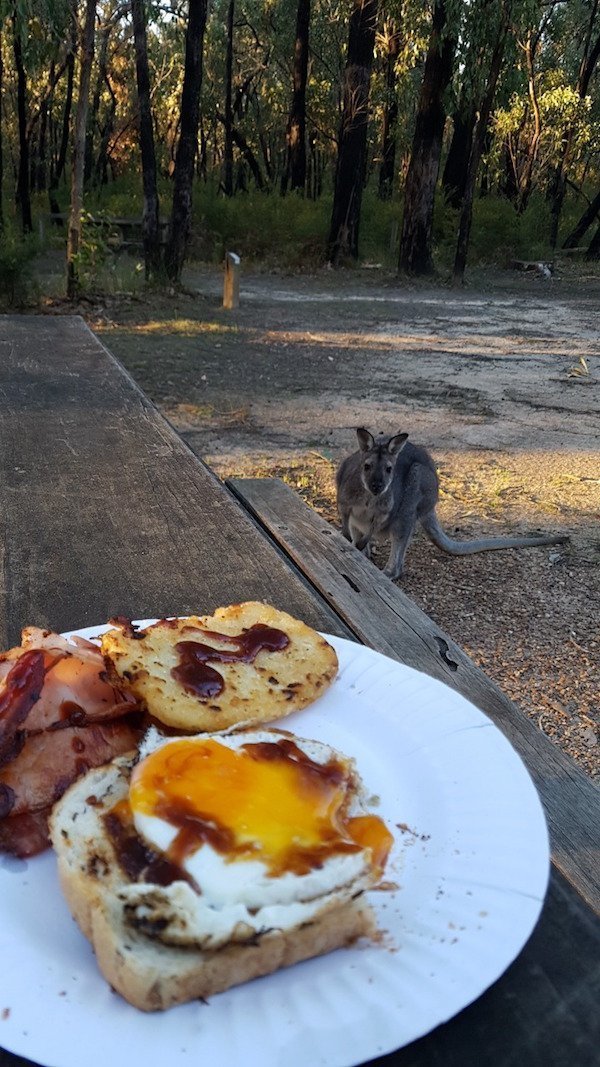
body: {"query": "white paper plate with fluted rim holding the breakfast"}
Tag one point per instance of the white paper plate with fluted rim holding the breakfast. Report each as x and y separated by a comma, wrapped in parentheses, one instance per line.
(471, 859)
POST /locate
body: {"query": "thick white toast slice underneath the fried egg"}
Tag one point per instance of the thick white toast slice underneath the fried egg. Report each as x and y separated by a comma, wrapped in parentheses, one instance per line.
(150, 974)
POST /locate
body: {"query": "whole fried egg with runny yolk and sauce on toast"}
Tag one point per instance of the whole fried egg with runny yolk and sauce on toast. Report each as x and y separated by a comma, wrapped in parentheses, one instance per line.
(269, 829)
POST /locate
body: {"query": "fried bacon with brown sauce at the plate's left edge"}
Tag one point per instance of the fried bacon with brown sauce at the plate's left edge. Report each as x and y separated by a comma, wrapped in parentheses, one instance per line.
(59, 718)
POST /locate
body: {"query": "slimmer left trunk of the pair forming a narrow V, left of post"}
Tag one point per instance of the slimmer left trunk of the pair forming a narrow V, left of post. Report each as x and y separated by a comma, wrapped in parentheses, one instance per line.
(151, 229)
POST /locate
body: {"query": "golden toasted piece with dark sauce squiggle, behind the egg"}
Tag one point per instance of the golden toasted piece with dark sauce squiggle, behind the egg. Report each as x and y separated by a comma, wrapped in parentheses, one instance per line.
(252, 677)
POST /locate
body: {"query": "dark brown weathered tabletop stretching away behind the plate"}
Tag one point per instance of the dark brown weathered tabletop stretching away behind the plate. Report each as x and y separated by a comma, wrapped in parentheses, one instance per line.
(104, 509)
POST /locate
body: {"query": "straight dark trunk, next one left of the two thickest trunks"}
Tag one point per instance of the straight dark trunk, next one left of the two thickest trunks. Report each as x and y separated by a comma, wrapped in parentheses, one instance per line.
(295, 170)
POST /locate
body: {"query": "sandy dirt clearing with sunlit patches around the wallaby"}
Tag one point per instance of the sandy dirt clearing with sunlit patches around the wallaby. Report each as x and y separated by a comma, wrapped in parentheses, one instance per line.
(491, 380)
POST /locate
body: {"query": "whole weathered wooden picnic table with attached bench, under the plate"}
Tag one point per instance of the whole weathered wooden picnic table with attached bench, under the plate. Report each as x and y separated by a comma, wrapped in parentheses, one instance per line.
(104, 509)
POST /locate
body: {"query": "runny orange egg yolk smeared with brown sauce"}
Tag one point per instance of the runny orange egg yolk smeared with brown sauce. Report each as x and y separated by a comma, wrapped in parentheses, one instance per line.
(267, 801)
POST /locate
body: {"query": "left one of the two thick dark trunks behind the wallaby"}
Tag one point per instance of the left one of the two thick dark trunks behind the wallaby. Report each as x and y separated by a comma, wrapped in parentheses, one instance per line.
(352, 153)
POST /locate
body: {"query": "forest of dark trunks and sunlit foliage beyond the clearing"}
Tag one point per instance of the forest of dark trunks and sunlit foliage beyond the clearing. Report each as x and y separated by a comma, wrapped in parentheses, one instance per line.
(299, 132)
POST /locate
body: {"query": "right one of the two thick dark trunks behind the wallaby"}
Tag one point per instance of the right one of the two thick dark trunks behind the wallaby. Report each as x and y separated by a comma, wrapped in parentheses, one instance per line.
(420, 190)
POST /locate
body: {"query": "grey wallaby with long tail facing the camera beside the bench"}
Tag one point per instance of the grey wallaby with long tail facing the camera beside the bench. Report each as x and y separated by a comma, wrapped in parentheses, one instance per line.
(387, 487)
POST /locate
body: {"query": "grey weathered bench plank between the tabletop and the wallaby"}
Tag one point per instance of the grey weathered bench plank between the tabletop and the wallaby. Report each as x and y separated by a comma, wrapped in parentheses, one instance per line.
(385, 618)
